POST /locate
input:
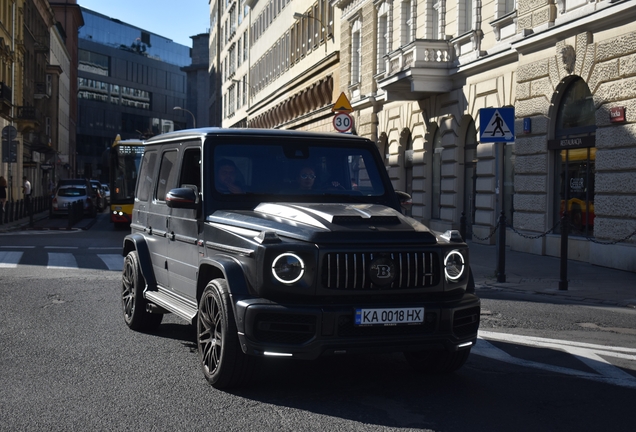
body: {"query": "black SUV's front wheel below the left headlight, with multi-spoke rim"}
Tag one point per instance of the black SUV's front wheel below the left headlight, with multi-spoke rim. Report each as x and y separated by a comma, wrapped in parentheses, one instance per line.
(223, 363)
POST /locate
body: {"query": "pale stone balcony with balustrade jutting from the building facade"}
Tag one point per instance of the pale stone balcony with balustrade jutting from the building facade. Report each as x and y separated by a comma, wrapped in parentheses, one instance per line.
(419, 69)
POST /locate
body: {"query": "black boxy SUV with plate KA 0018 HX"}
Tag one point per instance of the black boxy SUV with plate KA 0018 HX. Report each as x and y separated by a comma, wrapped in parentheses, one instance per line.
(290, 244)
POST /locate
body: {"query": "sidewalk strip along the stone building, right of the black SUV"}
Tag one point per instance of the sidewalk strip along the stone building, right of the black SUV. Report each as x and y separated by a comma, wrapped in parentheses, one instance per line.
(539, 274)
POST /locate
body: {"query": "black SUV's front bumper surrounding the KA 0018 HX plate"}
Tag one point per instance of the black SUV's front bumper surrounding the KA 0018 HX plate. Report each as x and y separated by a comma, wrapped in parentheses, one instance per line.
(309, 331)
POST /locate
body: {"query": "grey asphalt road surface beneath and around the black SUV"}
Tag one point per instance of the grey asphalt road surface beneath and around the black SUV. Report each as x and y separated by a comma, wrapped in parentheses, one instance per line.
(69, 362)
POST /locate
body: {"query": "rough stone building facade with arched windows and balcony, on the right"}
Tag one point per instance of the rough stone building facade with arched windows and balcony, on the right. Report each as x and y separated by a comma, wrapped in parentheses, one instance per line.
(418, 73)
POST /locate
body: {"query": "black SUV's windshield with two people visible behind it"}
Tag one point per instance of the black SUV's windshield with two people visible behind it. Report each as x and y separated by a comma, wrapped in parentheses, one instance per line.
(291, 169)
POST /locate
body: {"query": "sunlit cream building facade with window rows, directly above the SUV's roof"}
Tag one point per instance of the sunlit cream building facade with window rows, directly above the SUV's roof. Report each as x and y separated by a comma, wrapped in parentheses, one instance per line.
(278, 63)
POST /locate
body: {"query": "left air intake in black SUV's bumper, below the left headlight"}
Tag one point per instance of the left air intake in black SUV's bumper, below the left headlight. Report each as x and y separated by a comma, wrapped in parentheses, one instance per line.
(285, 328)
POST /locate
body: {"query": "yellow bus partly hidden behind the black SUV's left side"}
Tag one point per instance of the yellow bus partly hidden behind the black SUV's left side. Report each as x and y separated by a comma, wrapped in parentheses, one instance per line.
(124, 159)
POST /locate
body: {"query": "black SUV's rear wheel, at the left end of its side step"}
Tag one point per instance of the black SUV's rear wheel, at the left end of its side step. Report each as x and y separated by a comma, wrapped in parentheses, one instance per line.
(132, 298)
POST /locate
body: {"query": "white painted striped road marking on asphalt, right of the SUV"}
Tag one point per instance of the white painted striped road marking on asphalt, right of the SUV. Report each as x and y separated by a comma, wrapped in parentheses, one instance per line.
(589, 354)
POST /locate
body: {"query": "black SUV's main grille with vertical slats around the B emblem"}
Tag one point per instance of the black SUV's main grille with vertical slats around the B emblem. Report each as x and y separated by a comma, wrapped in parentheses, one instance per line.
(351, 270)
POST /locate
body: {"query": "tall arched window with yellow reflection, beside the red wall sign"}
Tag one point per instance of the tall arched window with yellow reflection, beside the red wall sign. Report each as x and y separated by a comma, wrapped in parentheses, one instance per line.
(575, 130)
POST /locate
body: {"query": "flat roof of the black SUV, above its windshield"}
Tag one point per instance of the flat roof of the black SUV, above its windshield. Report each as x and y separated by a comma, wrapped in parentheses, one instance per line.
(213, 131)
